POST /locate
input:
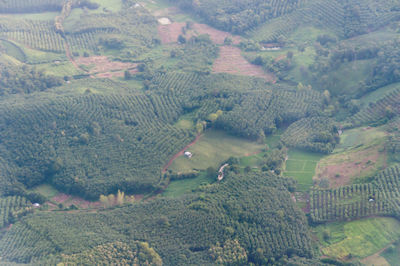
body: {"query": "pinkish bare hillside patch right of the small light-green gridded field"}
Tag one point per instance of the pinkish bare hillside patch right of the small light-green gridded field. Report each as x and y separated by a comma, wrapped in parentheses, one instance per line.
(341, 169)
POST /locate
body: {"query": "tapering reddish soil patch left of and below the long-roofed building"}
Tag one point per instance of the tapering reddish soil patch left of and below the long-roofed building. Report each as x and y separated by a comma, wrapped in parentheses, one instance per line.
(231, 61)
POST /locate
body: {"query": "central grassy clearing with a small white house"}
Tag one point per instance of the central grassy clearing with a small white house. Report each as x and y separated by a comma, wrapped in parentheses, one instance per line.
(212, 149)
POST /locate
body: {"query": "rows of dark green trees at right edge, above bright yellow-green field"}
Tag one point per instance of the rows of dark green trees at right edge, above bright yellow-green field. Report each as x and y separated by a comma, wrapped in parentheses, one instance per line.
(380, 197)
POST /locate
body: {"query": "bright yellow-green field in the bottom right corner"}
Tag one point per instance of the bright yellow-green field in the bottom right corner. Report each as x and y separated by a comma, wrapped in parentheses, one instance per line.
(359, 238)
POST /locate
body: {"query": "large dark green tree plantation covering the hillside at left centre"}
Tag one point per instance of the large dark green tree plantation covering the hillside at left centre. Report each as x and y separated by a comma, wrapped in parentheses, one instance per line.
(136, 130)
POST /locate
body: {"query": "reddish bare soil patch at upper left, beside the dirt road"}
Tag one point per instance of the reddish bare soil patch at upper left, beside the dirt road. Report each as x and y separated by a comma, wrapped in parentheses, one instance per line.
(101, 64)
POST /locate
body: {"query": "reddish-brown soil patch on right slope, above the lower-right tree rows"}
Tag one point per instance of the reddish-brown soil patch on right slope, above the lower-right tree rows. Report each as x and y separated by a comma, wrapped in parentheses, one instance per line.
(353, 165)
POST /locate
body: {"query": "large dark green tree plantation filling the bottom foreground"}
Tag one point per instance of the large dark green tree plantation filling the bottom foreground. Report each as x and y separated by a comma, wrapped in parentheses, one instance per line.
(255, 209)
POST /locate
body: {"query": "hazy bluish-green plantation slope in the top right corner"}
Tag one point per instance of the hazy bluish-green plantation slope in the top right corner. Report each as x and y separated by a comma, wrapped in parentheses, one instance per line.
(345, 18)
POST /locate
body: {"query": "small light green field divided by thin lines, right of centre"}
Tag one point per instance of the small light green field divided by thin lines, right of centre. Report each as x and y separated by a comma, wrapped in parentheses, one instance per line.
(301, 166)
